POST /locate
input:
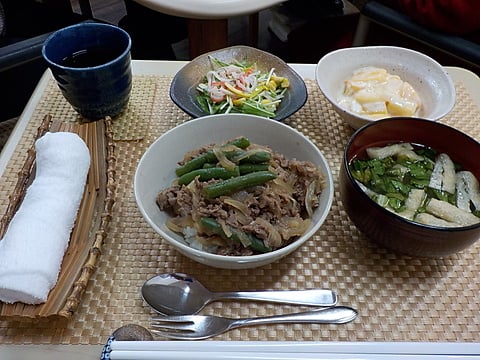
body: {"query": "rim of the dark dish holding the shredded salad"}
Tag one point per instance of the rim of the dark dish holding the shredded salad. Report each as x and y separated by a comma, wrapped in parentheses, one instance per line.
(296, 78)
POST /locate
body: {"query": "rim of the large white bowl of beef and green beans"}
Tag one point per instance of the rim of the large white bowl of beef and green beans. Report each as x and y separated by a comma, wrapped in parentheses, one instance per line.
(239, 260)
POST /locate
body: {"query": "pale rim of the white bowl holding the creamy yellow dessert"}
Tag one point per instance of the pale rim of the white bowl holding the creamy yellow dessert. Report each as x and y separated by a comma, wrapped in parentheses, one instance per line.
(448, 106)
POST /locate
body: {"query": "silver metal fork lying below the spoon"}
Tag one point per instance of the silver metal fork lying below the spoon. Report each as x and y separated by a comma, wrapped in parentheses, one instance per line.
(198, 327)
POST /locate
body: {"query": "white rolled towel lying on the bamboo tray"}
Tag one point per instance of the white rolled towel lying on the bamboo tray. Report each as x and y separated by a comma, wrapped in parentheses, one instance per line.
(32, 250)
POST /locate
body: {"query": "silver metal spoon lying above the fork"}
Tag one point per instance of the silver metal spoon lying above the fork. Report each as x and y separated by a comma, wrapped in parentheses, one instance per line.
(181, 294)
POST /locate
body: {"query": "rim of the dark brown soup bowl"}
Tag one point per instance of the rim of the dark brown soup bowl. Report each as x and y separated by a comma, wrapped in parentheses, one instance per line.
(391, 214)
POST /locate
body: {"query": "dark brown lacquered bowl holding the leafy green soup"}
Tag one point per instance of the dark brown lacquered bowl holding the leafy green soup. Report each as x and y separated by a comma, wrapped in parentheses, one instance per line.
(387, 228)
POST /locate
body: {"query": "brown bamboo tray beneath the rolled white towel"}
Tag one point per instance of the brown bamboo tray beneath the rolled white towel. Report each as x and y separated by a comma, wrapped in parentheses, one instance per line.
(90, 228)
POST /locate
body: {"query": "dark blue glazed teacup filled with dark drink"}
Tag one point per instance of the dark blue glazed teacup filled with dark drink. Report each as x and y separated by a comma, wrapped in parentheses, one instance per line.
(91, 63)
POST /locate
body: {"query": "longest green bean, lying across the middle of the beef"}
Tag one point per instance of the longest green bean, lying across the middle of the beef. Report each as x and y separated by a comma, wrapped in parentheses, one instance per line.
(229, 186)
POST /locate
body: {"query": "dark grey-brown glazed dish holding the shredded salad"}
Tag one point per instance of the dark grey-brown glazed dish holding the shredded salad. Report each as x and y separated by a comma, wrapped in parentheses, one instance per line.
(183, 90)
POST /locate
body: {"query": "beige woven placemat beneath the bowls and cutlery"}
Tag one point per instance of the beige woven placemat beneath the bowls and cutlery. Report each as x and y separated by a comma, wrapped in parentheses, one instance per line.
(398, 298)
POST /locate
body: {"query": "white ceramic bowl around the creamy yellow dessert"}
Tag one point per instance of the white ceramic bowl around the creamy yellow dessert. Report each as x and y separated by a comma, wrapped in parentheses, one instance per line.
(426, 76)
